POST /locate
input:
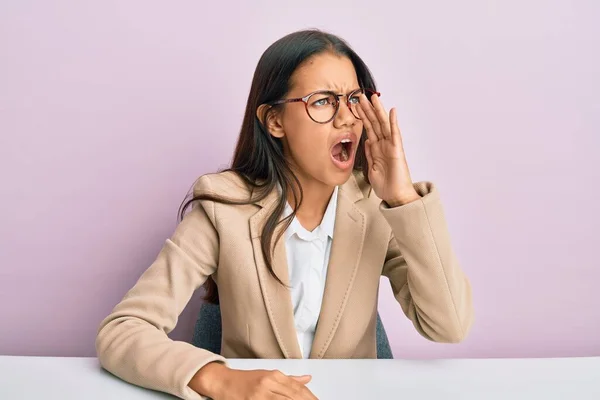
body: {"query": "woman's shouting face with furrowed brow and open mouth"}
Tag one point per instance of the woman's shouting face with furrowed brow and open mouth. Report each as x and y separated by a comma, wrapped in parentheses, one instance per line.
(321, 152)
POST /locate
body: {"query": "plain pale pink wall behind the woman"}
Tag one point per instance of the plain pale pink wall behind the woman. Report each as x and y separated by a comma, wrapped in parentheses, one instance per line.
(109, 110)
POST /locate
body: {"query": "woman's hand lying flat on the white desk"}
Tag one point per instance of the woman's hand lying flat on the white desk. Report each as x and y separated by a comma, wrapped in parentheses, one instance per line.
(219, 382)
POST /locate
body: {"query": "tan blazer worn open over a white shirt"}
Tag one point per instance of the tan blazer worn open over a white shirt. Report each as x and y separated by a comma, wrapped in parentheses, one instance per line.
(409, 244)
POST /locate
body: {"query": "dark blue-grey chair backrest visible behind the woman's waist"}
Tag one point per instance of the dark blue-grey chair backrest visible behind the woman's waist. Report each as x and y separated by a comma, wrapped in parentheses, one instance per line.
(208, 331)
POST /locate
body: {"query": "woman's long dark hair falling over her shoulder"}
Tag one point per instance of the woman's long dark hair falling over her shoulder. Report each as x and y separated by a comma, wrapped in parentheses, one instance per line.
(258, 157)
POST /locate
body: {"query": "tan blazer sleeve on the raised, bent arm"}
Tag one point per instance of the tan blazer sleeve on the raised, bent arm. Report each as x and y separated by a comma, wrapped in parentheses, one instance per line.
(423, 270)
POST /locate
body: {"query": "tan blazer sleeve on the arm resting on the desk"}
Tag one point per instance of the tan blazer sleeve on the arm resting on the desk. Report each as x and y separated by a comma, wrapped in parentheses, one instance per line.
(132, 341)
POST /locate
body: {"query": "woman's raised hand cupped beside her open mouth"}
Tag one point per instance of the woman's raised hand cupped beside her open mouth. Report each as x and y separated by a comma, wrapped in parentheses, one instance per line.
(388, 170)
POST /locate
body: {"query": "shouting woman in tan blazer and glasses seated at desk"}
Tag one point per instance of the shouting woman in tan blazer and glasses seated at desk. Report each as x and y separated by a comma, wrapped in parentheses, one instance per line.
(317, 205)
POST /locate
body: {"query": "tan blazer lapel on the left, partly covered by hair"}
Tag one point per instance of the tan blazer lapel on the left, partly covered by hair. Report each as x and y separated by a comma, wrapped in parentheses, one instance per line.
(277, 298)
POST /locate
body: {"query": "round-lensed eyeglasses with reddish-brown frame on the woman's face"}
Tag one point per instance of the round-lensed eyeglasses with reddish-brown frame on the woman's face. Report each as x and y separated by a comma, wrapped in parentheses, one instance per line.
(322, 106)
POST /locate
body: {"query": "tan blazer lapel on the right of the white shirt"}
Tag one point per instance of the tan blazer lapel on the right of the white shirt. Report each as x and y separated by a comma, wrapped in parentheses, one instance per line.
(346, 250)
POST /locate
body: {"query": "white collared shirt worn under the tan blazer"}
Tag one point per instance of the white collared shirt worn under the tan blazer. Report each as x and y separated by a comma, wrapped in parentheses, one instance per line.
(308, 257)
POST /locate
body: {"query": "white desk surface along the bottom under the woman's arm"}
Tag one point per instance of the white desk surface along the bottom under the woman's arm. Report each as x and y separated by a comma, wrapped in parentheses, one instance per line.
(568, 378)
